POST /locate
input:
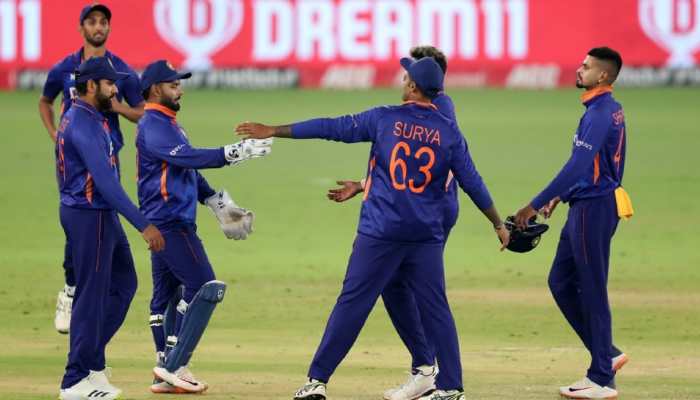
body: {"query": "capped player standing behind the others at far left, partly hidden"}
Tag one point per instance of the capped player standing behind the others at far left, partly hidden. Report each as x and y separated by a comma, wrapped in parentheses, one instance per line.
(95, 28)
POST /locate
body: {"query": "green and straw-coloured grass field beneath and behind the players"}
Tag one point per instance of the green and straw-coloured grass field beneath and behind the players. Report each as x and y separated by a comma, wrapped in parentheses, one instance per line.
(285, 277)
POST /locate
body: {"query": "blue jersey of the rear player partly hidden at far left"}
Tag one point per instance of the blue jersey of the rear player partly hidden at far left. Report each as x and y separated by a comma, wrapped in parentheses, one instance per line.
(61, 79)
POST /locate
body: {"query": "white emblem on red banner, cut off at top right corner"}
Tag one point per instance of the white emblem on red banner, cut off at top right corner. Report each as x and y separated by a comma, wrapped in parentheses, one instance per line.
(674, 25)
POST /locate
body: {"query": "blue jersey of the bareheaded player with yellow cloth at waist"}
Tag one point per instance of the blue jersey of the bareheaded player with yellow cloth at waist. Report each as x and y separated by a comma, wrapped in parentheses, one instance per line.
(597, 160)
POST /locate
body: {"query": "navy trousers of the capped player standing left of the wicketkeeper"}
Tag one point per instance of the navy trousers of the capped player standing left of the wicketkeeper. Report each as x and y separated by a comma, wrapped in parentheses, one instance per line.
(105, 285)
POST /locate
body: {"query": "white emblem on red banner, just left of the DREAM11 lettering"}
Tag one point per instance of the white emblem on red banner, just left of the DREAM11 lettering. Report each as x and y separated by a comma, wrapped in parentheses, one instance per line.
(198, 28)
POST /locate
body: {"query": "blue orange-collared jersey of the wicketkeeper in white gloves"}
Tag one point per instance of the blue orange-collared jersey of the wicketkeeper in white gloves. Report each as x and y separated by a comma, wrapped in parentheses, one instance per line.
(169, 185)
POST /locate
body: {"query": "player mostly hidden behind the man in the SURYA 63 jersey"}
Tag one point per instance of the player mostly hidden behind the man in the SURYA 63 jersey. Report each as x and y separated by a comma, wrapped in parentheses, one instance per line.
(398, 299)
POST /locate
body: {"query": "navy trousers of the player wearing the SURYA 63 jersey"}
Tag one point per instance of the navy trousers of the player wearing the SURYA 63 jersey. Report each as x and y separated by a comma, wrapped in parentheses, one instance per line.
(372, 265)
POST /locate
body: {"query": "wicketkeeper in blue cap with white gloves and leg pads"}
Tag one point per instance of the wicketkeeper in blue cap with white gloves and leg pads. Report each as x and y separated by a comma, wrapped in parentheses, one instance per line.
(169, 187)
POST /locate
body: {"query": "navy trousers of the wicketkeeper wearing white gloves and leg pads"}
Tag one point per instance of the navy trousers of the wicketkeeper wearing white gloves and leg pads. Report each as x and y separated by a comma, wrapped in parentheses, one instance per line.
(183, 262)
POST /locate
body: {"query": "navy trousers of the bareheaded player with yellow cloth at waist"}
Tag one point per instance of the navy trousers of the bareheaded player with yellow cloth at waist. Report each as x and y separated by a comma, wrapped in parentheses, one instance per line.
(579, 277)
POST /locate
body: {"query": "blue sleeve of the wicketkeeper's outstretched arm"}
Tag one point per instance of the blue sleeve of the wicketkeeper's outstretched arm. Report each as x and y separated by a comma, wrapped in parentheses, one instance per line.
(169, 146)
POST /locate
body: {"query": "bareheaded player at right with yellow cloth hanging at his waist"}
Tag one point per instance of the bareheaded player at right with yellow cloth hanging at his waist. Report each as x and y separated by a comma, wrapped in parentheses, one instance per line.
(591, 182)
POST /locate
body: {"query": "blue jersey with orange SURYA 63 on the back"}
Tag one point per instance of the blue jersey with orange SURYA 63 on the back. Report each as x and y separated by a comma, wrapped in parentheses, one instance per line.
(414, 147)
